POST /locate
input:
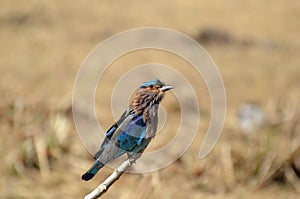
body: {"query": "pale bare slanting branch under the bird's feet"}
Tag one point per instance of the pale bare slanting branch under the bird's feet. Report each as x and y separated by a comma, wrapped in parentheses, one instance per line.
(104, 186)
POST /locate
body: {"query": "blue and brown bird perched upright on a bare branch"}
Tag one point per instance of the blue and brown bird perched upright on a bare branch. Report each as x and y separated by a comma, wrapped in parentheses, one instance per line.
(135, 128)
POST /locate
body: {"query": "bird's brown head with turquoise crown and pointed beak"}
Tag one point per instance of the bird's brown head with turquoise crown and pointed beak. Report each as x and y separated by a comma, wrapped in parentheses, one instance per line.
(148, 94)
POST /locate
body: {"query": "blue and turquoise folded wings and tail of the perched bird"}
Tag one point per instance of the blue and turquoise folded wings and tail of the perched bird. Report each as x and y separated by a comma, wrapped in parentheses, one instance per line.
(130, 139)
